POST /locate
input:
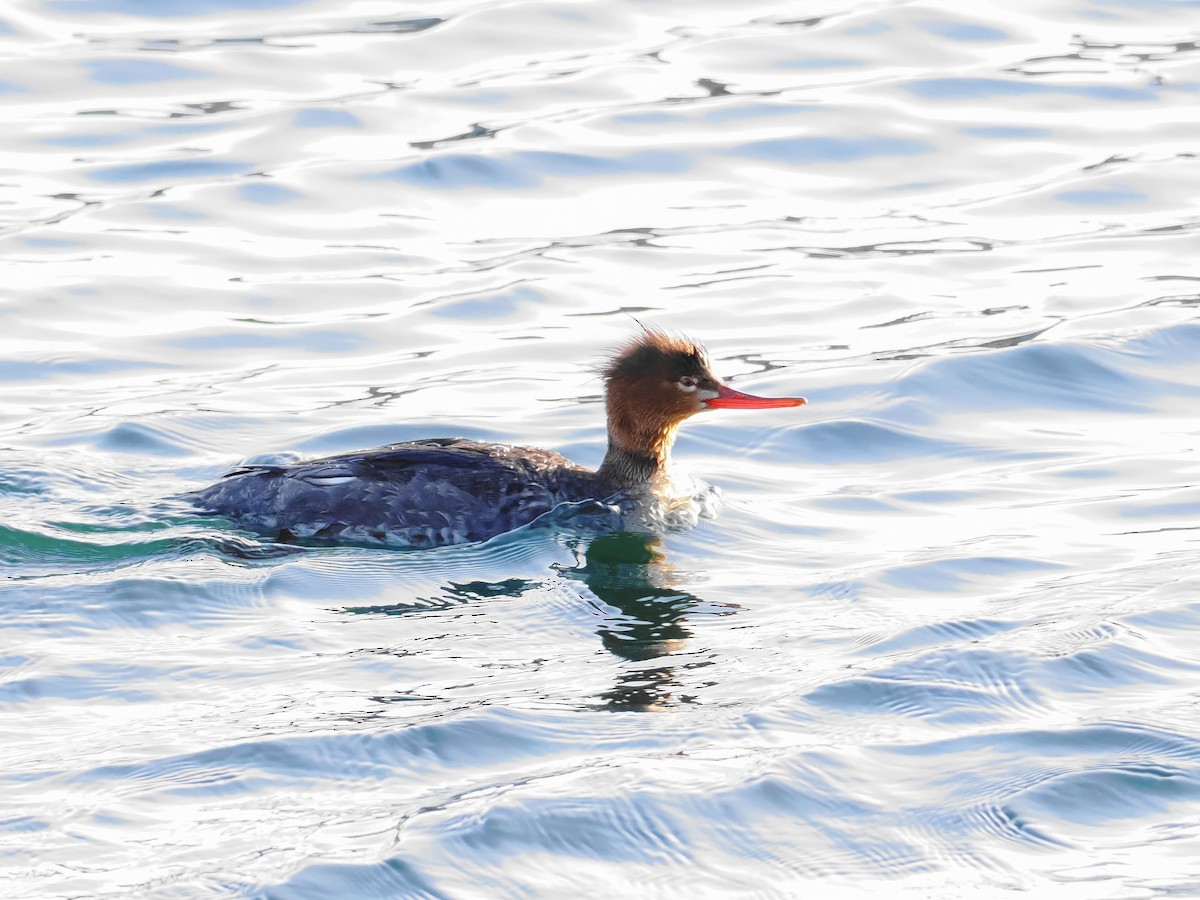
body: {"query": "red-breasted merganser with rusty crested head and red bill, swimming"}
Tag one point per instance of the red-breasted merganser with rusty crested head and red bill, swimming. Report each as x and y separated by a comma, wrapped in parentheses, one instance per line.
(431, 494)
